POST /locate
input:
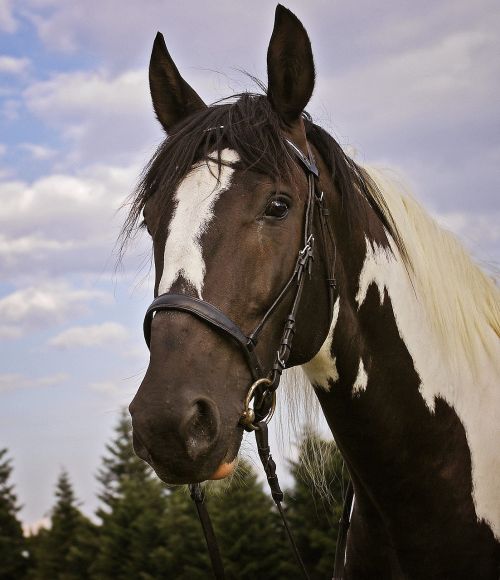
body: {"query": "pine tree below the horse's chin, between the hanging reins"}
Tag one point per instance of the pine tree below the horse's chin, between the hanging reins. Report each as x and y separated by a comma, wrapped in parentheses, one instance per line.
(249, 530)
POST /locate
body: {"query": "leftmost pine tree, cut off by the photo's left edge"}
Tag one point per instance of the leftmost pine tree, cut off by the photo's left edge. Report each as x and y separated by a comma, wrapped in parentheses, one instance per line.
(13, 552)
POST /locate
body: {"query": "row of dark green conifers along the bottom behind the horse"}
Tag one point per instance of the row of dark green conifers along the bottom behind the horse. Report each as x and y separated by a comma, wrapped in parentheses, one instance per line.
(144, 530)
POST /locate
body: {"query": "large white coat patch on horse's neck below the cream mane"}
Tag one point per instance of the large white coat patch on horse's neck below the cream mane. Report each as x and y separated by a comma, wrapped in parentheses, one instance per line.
(475, 396)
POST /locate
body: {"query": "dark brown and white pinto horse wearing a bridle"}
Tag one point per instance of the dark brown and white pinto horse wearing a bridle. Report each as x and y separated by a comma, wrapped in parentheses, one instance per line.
(395, 327)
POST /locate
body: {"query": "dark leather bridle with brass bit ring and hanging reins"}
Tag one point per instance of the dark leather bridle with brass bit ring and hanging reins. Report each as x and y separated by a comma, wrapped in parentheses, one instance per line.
(262, 392)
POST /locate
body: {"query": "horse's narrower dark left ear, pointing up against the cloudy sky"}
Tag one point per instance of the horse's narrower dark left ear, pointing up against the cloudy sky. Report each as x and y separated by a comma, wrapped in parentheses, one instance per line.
(173, 98)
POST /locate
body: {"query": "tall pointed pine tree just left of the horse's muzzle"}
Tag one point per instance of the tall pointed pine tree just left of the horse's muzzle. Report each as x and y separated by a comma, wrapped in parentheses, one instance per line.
(132, 544)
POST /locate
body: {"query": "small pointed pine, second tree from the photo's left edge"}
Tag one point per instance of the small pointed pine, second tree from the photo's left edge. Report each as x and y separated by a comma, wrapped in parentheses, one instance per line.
(66, 550)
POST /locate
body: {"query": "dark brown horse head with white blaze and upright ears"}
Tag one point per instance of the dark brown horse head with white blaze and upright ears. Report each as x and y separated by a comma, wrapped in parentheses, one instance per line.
(225, 202)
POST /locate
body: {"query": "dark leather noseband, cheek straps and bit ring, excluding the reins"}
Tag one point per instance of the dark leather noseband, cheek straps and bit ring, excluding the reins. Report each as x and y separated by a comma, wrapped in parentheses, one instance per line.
(263, 388)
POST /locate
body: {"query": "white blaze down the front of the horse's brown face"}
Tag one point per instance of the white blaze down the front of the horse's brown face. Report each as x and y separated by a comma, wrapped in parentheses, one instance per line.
(195, 199)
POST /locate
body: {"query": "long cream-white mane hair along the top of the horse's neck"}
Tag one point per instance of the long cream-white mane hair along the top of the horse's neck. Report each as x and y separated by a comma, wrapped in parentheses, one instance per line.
(462, 302)
